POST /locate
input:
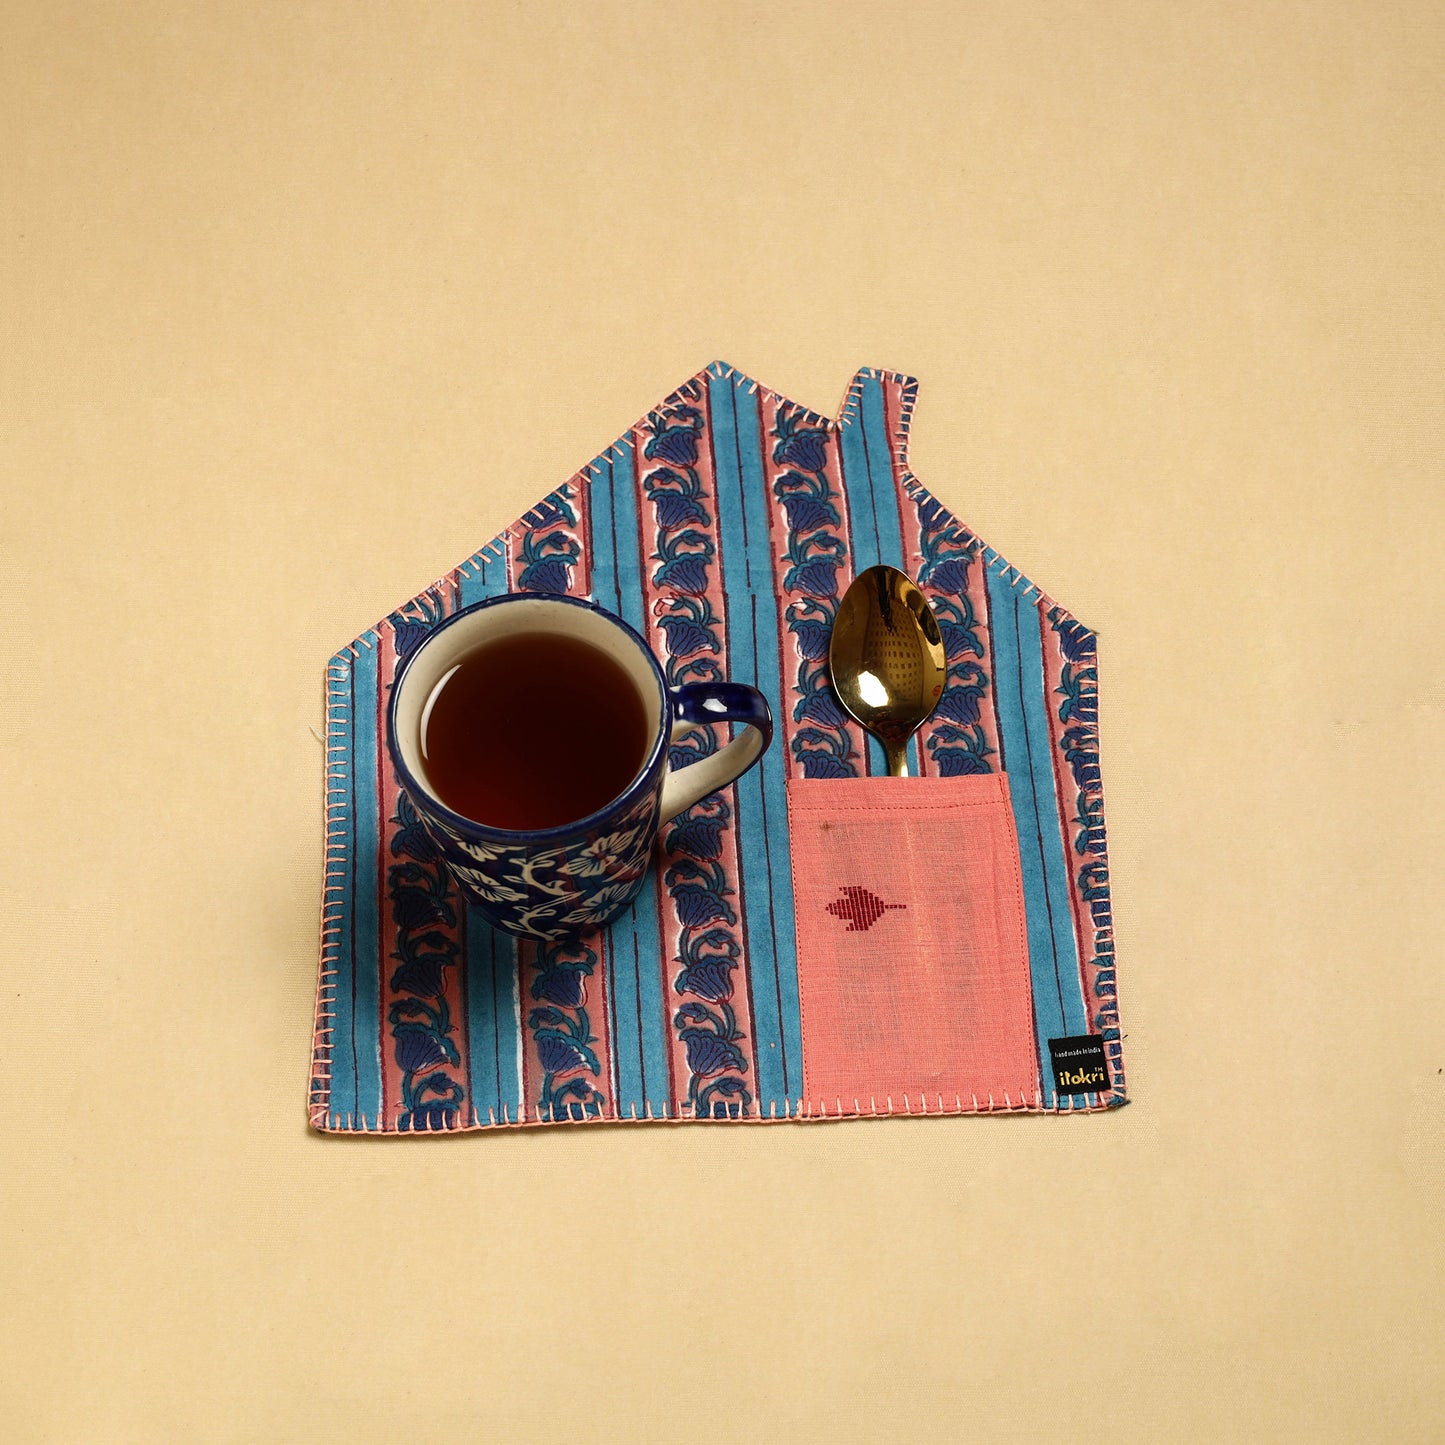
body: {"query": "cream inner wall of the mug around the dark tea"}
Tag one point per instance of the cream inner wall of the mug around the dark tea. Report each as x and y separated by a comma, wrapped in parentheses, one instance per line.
(444, 650)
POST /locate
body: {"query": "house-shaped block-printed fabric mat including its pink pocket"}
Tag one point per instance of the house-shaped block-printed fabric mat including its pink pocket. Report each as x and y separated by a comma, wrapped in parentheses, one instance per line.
(725, 527)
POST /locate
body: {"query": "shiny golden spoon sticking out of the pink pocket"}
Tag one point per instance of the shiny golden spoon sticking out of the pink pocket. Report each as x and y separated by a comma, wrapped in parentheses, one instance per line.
(887, 657)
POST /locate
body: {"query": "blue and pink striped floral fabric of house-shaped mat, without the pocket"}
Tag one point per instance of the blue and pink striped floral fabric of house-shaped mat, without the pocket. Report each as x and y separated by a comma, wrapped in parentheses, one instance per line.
(725, 527)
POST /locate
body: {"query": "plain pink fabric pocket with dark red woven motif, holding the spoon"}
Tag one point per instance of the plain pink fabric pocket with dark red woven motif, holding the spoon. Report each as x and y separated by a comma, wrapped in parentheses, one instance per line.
(913, 952)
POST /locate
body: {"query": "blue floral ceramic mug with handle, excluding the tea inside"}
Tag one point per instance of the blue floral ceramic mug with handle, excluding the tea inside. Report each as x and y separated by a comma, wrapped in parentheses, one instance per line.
(557, 884)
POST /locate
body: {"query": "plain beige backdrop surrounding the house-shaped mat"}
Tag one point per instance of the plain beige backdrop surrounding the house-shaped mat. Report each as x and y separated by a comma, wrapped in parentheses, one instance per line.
(303, 303)
